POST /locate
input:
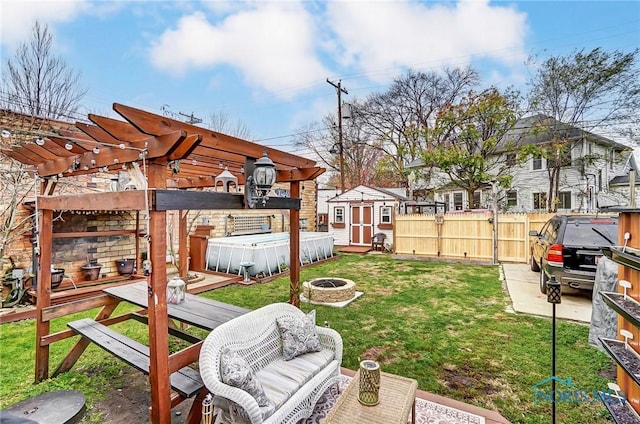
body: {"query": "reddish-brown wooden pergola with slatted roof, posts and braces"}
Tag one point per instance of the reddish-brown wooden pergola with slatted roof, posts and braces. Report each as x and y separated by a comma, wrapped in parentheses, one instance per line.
(178, 161)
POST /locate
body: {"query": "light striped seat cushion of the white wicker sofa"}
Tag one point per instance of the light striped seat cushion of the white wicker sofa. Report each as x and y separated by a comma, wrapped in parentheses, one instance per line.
(281, 379)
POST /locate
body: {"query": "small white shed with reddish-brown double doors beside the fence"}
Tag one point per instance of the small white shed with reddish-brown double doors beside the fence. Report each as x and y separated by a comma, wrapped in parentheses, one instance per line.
(357, 214)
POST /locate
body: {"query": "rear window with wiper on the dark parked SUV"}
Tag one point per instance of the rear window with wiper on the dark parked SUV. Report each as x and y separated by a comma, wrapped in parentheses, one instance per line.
(580, 232)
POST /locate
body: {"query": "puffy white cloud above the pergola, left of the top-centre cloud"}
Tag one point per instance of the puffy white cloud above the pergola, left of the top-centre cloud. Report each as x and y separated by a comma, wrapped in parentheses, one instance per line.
(272, 45)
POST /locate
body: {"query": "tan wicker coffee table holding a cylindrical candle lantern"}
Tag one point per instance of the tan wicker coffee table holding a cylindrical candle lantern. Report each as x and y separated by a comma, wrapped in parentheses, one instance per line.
(397, 398)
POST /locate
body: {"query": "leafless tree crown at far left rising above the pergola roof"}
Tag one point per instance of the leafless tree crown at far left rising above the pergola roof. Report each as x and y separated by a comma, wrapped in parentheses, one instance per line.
(37, 83)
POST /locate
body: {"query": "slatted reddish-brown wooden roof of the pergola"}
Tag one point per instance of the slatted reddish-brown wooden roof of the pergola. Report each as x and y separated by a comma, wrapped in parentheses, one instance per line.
(193, 155)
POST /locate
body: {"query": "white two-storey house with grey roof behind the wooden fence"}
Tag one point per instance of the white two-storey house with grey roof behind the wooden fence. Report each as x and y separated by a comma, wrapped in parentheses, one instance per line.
(591, 180)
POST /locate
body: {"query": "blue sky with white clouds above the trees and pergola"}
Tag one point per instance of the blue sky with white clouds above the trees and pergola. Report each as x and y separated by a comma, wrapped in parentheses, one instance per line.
(265, 64)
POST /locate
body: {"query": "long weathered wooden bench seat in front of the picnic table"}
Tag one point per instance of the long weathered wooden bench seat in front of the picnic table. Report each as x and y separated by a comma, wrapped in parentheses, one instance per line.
(186, 381)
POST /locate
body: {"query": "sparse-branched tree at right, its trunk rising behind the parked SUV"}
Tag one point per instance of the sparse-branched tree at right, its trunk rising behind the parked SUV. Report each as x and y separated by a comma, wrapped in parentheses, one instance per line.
(597, 89)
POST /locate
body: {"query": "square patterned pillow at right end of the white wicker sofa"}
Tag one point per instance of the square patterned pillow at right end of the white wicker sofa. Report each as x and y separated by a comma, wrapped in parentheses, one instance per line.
(299, 335)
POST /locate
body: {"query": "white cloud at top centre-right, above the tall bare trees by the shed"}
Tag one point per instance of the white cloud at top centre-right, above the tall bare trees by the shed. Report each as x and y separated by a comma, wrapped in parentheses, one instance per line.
(379, 36)
